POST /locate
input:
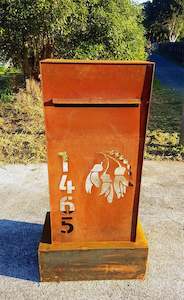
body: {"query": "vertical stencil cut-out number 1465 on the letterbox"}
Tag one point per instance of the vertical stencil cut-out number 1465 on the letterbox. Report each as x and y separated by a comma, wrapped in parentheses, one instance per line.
(67, 206)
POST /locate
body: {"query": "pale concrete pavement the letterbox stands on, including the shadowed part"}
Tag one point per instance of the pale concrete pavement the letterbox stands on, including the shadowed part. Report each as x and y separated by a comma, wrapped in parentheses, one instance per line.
(24, 202)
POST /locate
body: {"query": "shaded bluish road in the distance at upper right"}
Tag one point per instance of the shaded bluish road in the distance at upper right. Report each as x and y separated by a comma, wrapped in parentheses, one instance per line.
(169, 73)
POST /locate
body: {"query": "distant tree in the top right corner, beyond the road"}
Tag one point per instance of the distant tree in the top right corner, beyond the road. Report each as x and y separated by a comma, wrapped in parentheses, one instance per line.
(165, 19)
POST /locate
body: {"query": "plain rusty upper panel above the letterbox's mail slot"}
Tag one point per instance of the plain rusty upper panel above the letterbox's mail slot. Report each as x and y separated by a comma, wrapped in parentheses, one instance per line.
(92, 83)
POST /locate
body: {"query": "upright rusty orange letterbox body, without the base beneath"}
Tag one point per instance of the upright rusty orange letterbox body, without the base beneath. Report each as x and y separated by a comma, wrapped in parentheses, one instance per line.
(95, 116)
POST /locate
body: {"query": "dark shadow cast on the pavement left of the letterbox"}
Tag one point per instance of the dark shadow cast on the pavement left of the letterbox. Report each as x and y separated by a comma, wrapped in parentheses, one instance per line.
(18, 249)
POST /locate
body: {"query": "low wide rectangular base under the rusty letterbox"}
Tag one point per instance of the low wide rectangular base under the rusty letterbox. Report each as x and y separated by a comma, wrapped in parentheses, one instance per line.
(92, 260)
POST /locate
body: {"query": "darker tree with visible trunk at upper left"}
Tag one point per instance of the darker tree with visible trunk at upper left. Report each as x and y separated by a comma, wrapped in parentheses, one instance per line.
(28, 29)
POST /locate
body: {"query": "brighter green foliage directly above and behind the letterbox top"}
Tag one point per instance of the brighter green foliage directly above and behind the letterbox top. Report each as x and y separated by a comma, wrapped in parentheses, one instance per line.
(113, 30)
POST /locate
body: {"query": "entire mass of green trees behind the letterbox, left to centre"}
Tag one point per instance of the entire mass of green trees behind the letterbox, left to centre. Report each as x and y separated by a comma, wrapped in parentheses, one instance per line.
(35, 29)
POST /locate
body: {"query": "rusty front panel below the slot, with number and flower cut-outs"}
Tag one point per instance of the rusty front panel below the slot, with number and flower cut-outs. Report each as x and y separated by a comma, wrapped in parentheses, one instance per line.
(107, 138)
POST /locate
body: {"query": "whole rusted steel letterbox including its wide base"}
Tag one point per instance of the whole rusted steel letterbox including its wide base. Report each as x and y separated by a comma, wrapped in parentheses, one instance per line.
(95, 116)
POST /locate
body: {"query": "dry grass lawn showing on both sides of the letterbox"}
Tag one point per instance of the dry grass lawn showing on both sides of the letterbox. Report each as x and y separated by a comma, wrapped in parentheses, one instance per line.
(22, 137)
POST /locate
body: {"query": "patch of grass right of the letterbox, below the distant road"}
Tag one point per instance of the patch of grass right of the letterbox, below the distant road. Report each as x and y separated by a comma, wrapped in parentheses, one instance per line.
(164, 125)
